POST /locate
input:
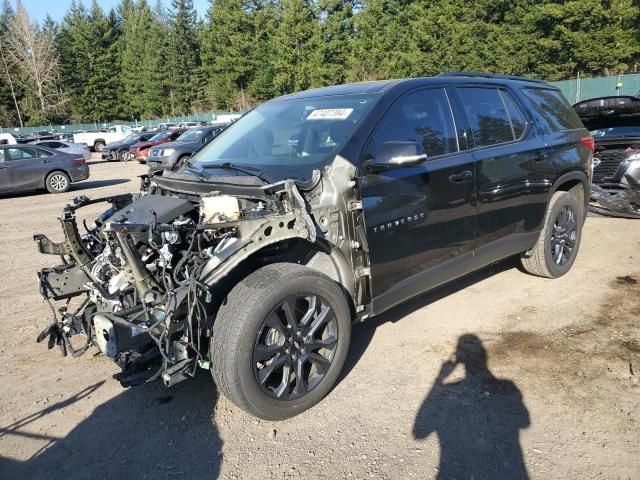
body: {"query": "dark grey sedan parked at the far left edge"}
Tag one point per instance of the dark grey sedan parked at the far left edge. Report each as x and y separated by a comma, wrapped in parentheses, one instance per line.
(30, 167)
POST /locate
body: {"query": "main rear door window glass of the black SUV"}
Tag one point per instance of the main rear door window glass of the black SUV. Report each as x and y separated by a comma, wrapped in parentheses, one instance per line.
(487, 116)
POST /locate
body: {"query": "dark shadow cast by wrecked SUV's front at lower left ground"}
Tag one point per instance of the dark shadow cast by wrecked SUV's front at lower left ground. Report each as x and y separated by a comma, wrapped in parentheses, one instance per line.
(145, 432)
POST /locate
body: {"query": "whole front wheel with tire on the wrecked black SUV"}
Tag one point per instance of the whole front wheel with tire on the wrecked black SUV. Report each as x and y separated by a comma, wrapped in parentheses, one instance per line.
(250, 341)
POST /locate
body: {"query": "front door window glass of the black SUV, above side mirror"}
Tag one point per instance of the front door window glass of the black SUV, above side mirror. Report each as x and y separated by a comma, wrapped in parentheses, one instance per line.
(423, 116)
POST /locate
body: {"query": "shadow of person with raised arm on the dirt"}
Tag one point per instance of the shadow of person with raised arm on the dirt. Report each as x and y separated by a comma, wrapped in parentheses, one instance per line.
(477, 419)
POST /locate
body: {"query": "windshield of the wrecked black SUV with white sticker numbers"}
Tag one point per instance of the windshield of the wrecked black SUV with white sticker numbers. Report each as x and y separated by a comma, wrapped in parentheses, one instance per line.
(289, 138)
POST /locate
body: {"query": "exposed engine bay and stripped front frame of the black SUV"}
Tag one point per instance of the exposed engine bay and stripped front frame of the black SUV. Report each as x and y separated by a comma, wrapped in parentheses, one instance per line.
(152, 269)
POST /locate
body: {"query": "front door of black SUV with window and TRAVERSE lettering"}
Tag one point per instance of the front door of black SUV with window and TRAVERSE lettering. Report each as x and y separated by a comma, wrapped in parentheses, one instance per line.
(420, 219)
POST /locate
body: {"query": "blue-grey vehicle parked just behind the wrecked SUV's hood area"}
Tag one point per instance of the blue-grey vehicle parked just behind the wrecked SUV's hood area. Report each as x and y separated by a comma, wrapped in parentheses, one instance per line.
(172, 156)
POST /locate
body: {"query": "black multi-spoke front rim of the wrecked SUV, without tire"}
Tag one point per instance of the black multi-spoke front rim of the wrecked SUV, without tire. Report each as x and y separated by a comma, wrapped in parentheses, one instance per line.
(295, 346)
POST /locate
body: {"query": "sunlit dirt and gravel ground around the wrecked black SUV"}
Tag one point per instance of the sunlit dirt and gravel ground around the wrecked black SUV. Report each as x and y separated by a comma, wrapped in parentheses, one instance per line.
(546, 387)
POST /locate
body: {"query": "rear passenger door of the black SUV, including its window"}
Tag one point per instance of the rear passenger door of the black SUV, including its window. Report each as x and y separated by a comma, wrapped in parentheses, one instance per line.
(513, 171)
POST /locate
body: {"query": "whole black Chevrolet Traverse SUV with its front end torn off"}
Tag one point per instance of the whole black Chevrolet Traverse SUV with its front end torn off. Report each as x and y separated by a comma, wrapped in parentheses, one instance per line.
(313, 211)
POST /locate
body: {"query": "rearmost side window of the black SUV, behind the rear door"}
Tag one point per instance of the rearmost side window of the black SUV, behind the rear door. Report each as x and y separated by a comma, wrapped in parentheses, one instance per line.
(554, 110)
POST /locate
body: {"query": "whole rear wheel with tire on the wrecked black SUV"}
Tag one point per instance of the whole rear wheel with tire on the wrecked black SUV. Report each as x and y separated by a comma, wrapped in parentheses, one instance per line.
(550, 257)
